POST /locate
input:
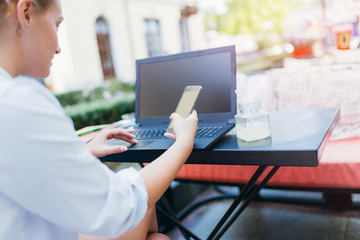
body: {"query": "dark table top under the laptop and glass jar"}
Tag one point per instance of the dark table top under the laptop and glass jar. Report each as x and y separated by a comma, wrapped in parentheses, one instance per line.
(298, 138)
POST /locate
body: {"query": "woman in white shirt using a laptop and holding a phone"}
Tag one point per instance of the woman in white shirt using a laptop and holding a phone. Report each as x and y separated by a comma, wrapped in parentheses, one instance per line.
(52, 186)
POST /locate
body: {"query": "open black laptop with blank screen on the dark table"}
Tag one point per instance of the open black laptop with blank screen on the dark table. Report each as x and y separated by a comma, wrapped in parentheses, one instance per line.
(160, 82)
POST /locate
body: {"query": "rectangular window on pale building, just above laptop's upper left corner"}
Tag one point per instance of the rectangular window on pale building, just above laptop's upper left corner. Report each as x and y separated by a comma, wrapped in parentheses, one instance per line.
(153, 37)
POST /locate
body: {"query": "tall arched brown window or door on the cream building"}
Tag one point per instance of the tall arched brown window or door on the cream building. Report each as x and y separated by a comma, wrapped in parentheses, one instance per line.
(102, 33)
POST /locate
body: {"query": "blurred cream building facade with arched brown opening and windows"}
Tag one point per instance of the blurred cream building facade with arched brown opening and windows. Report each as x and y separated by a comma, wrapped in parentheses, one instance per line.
(101, 39)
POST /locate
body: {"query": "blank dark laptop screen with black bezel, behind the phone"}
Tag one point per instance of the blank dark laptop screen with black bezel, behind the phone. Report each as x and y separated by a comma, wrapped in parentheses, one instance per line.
(161, 81)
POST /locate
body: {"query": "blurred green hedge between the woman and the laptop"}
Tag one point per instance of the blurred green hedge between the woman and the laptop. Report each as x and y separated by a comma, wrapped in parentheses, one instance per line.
(100, 105)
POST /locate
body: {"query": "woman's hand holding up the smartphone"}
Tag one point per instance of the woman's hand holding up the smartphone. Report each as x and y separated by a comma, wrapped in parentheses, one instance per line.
(183, 128)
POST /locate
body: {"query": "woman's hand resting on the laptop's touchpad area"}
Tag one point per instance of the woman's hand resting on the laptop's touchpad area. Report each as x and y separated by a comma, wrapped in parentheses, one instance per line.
(99, 147)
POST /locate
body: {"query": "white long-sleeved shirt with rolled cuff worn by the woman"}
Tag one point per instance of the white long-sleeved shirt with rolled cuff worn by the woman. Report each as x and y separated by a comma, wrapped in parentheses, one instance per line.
(51, 186)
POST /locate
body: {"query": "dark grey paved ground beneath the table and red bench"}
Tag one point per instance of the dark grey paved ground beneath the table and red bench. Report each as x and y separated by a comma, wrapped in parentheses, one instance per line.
(280, 221)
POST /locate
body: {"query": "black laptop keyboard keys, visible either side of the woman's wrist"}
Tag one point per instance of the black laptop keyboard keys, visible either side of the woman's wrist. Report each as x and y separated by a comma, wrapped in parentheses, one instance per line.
(202, 132)
